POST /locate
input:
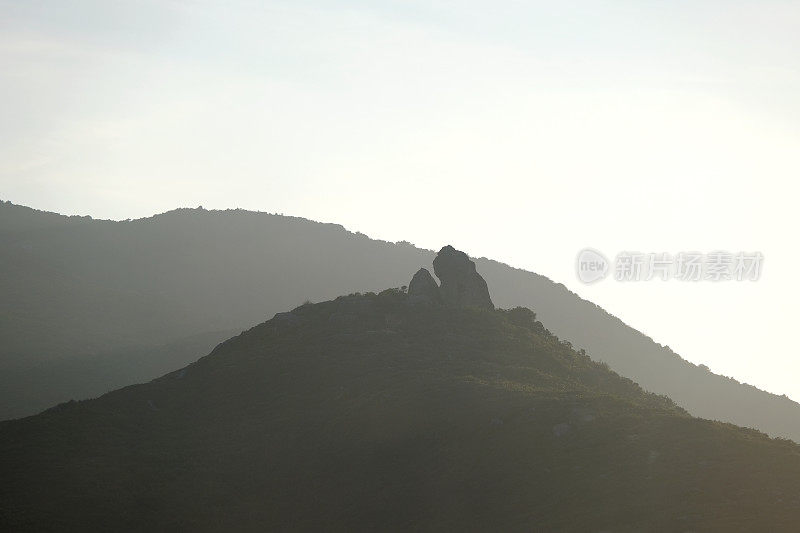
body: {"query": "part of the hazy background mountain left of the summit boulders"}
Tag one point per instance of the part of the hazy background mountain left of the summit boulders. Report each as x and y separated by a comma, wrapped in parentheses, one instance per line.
(84, 299)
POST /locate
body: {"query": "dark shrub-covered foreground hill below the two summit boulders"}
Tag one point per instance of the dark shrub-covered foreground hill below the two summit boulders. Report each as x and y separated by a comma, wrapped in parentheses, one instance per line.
(375, 412)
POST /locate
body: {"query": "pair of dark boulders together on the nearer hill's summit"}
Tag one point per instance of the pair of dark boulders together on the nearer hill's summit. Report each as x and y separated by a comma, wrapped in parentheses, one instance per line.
(461, 286)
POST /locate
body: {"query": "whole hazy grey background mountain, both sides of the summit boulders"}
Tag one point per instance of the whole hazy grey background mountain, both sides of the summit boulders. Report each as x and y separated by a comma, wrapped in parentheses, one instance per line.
(78, 292)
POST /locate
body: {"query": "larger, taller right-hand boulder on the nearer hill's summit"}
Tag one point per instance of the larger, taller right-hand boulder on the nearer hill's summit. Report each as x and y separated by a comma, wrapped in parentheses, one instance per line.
(462, 286)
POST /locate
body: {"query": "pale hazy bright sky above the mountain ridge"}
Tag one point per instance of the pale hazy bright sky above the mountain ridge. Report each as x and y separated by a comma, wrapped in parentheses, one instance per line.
(520, 131)
